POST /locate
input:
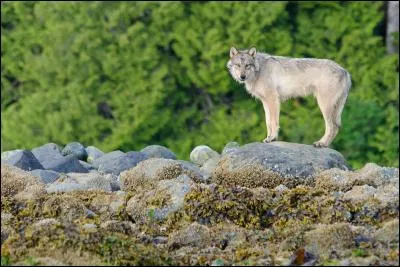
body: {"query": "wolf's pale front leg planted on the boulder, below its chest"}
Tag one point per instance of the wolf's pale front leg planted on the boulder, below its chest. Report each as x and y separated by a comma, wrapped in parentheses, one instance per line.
(271, 108)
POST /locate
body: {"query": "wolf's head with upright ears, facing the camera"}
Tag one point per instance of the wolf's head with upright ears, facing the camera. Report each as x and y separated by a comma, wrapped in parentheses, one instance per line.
(242, 64)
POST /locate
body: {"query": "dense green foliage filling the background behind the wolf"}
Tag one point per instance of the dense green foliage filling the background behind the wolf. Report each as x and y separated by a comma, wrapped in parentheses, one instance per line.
(158, 70)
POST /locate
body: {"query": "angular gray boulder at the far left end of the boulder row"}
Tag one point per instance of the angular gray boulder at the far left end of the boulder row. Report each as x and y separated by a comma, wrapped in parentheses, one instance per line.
(23, 159)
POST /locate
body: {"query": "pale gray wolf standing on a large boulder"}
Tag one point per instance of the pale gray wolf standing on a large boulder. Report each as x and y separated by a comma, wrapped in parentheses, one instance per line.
(274, 79)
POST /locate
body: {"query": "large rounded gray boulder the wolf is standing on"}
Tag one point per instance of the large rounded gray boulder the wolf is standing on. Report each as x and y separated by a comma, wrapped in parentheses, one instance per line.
(269, 165)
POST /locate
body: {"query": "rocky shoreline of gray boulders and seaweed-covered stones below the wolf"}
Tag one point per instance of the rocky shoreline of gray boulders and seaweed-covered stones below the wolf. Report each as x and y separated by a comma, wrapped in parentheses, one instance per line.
(256, 204)
